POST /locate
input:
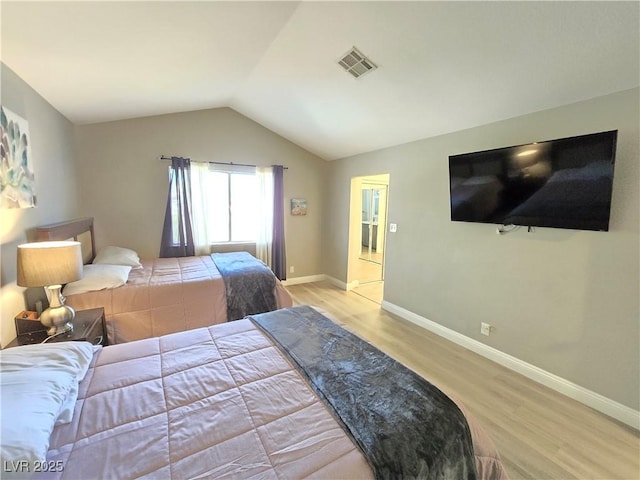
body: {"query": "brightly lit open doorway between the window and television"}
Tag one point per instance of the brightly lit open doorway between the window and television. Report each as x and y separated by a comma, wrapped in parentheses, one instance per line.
(367, 236)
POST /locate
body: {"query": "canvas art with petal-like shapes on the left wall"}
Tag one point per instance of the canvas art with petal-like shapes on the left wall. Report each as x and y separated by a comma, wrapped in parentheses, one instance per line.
(17, 183)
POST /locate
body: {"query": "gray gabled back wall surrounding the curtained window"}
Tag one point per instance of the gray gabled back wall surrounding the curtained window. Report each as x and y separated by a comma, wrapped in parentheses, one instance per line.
(124, 185)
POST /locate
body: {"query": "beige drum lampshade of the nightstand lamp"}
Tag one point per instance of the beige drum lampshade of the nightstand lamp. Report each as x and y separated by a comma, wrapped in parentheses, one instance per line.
(49, 263)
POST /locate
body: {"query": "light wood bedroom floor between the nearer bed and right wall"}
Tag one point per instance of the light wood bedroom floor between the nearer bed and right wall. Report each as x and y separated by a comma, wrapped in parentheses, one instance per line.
(539, 433)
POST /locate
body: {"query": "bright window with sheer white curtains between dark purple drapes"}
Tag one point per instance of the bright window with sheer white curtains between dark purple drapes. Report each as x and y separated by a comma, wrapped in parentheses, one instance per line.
(225, 200)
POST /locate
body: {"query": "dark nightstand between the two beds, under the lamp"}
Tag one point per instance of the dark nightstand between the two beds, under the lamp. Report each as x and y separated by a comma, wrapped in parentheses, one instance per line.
(88, 325)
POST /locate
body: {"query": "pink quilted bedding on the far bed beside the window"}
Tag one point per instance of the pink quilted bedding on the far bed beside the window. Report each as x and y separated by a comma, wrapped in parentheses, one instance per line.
(167, 295)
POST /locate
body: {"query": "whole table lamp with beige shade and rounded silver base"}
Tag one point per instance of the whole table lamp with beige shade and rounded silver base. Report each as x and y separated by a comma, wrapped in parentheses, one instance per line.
(50, 265)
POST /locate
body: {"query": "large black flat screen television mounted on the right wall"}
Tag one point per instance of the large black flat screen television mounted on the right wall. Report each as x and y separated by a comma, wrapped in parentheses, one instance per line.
(564, 183)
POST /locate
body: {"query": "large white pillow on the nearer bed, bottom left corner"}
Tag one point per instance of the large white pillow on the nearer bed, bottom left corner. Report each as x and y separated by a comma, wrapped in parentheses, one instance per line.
(36, 381)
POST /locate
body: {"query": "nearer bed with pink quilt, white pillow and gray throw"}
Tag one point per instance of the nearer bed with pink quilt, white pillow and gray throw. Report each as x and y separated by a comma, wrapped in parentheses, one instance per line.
(235, 401)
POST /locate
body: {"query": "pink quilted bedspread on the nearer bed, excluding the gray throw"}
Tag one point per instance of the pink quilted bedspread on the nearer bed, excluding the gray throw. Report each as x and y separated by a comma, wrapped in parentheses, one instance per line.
(216, 402)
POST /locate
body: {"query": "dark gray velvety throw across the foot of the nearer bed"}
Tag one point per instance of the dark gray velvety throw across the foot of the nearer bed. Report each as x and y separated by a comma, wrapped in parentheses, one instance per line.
(405, 426)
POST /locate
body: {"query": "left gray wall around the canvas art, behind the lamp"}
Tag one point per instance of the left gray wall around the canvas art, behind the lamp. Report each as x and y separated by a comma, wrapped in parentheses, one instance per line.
(51, 137)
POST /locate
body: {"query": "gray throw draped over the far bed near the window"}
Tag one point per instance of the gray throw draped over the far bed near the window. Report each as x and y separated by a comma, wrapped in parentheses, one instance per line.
(249, 284)
